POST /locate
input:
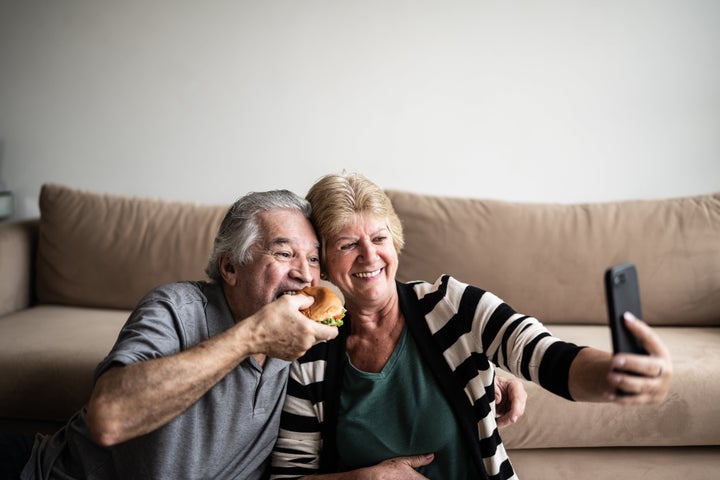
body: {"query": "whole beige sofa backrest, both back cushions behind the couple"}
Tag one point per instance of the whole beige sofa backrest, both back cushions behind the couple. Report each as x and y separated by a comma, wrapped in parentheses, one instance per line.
(547, 260)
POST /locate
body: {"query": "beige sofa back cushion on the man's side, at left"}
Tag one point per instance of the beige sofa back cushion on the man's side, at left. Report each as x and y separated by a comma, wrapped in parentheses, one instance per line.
(103, 250)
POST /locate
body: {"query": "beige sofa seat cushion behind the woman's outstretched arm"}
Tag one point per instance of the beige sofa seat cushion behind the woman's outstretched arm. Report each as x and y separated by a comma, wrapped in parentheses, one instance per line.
(689, 415)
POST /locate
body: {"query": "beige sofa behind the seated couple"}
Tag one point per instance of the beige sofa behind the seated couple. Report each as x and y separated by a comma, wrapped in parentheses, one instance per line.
(71, 277)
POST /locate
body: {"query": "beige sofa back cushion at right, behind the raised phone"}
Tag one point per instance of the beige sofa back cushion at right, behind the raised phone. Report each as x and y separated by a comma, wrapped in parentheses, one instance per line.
(548, 260)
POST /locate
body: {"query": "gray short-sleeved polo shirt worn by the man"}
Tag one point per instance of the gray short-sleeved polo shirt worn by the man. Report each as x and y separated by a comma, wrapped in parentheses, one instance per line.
(227, 434)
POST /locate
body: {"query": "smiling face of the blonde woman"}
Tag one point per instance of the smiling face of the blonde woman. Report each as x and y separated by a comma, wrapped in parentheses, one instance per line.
(361, 260)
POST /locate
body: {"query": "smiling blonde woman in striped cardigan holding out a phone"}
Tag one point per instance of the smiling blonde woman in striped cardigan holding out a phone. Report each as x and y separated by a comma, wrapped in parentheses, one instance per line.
(412, 371)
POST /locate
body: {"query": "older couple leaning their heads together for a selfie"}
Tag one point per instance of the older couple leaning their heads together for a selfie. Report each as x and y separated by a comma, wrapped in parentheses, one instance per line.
(199, 383)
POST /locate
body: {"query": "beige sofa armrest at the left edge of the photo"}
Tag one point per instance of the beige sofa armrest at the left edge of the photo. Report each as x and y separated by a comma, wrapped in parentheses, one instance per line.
(18, 245)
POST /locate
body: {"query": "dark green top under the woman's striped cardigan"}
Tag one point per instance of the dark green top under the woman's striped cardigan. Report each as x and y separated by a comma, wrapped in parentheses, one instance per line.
(400, 411)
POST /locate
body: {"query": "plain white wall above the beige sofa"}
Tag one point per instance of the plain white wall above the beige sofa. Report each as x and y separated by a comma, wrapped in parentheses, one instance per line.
(531, 100)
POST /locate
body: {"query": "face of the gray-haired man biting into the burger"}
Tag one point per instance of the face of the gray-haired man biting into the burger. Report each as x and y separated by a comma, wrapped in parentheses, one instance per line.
(286, 258)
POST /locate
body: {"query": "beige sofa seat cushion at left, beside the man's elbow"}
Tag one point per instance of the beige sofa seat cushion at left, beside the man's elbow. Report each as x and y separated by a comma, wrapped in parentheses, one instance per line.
(48, 355)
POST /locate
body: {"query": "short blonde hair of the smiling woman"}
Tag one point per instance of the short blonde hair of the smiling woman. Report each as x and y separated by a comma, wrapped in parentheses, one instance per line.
(337, 198)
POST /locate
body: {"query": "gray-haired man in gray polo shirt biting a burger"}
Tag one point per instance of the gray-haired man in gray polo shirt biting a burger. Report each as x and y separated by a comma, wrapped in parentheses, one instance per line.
(195, 383)
